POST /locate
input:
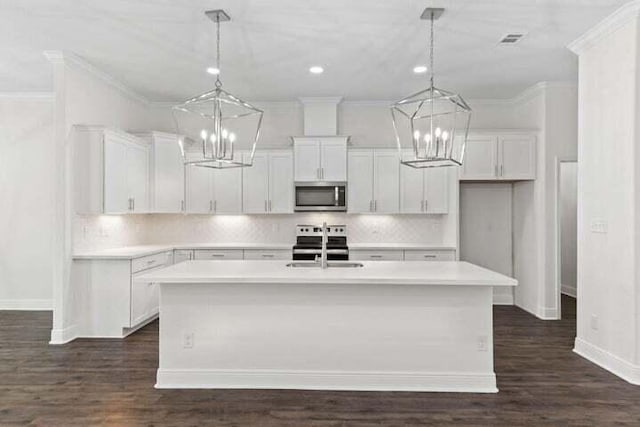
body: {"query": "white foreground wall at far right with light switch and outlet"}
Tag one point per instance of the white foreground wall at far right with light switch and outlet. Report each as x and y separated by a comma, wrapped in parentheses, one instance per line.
(608, 305)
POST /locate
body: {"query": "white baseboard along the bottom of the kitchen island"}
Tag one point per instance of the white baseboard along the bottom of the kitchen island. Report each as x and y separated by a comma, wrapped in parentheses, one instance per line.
(327, 380)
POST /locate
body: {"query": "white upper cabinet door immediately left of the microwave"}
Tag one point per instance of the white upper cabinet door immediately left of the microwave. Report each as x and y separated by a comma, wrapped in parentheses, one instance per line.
(280, 183)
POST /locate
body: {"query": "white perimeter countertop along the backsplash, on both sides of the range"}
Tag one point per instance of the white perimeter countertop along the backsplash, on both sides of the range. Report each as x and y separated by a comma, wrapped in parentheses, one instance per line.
(130, 252)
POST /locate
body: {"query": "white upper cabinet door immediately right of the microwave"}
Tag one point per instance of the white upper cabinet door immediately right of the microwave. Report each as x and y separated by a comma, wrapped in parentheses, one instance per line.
(360, 182)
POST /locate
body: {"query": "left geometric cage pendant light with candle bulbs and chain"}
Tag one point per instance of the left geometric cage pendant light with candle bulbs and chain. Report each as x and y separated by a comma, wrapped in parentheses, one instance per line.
(216, 121)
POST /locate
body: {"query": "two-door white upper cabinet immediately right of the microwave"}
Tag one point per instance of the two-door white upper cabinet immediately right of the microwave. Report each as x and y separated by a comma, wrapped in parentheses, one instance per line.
(373, 184)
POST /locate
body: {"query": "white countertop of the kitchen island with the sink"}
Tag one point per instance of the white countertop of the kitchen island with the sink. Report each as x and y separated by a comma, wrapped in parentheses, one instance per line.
(372, 273)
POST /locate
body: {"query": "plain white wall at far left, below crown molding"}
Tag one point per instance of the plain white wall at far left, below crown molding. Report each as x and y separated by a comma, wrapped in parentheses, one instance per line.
(26, 164)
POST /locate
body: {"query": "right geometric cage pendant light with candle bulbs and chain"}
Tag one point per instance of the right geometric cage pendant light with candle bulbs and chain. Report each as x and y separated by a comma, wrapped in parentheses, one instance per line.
(433, 122)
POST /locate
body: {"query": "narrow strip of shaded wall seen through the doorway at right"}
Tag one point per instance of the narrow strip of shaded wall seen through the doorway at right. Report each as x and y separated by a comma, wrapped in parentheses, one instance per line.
(568, 226)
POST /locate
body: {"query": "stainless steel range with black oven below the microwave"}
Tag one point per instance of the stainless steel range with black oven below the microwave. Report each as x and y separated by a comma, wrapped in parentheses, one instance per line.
(308, 245)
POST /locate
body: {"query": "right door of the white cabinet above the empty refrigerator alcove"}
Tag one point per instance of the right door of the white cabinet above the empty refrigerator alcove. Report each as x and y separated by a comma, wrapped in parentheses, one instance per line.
(517, 157)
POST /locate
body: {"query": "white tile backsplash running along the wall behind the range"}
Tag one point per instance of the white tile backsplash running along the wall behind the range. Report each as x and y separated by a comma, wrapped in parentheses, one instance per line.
(95, 232)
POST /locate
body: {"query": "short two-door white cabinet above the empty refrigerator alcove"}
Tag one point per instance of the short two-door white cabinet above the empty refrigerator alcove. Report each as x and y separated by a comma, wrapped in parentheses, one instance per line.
(507, 157)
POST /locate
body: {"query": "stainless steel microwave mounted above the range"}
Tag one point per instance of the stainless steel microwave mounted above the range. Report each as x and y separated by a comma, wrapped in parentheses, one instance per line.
(321, 196)
